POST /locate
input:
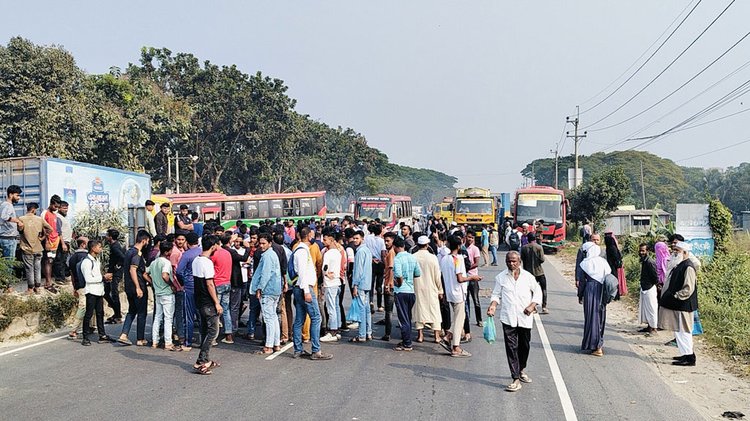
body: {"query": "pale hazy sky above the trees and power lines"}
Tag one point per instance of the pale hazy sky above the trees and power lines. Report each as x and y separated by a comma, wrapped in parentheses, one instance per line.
(476, 89)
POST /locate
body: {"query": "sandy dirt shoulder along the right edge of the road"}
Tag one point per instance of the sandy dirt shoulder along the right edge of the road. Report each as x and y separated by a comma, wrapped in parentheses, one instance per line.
(710, 386)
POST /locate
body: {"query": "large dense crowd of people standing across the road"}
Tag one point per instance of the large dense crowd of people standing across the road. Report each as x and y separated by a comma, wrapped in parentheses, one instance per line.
(287, 279)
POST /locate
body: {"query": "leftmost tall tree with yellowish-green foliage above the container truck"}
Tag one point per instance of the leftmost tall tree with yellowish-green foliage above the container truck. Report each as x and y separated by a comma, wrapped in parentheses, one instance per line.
(45, 103)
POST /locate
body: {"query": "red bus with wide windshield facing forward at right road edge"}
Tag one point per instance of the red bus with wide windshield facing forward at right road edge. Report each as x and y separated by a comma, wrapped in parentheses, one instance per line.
(548, 208)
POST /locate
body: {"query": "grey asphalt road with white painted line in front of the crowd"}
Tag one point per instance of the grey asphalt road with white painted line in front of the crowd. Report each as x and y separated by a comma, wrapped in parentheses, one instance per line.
(63, 380)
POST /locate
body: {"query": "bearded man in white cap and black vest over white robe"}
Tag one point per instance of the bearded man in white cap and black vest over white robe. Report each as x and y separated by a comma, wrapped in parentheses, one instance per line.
(679, 299)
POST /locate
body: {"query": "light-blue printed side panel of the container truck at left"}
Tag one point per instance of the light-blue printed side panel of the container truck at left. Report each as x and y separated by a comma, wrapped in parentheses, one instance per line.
(87, 187)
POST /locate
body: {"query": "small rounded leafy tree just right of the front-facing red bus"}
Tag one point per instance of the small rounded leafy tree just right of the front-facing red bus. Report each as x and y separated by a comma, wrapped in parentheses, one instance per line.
(599, 195)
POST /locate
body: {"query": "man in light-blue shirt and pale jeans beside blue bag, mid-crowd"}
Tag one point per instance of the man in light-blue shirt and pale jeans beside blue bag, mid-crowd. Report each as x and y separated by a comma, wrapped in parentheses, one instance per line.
(362, 283)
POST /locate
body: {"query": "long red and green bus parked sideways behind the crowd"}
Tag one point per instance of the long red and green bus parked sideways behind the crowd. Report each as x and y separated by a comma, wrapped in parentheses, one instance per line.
(250, 209)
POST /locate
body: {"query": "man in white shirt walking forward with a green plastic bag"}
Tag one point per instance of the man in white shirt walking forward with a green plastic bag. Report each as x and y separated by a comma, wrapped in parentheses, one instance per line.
(520, 294)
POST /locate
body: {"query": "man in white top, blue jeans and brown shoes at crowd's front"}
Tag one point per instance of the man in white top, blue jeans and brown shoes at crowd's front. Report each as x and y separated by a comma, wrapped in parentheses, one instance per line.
(305, 301)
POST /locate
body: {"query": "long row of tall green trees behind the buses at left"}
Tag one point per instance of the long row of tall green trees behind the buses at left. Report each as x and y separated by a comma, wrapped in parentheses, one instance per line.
(242, 127)
